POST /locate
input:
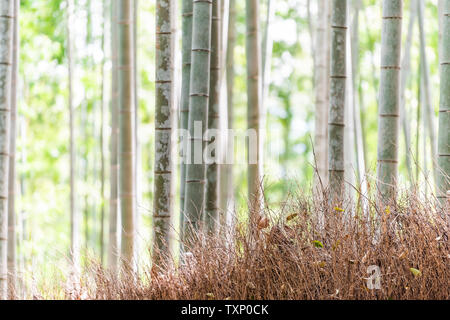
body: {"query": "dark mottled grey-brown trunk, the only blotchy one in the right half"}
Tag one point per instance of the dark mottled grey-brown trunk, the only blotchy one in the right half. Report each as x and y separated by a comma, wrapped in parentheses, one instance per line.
(336, 116)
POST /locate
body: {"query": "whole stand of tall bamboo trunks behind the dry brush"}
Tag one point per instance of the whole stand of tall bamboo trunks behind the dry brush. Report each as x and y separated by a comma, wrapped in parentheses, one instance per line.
(194, 105)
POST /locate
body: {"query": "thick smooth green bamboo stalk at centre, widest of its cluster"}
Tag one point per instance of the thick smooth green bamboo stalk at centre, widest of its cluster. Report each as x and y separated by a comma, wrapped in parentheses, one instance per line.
(198, 117)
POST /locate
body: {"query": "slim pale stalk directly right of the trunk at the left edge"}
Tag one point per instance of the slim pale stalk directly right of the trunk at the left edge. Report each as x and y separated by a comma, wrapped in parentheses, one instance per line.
(12, 159)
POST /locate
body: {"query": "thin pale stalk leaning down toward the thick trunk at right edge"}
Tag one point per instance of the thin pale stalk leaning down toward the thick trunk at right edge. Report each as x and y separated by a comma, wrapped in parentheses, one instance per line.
(429, 114)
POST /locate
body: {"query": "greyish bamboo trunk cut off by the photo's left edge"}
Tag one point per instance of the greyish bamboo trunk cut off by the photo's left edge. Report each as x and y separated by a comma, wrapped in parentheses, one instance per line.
(6, 60)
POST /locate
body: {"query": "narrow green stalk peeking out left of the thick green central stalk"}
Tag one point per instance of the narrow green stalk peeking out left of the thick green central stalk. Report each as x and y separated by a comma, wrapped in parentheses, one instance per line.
(185, 87)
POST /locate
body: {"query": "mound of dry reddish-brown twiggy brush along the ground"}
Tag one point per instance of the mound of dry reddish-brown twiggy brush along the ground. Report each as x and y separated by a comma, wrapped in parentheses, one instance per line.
(402, 254)
